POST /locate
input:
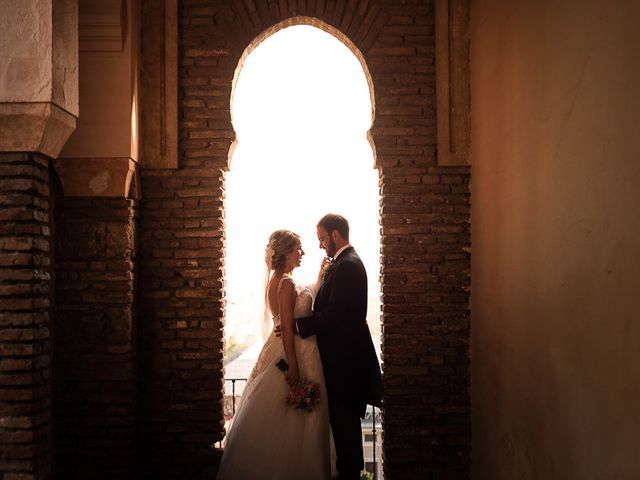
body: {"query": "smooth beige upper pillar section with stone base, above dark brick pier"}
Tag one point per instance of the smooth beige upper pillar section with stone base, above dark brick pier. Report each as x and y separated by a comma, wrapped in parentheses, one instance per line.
(100, 158)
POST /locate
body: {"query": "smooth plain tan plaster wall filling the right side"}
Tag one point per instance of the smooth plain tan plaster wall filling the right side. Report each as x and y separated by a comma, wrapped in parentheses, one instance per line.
(556, 239)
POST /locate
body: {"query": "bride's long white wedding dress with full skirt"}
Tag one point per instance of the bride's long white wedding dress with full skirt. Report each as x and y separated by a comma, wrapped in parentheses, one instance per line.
(268, 439)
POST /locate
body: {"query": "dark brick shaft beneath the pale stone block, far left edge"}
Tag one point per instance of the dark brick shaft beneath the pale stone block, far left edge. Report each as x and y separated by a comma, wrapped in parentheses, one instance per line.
(25, 334)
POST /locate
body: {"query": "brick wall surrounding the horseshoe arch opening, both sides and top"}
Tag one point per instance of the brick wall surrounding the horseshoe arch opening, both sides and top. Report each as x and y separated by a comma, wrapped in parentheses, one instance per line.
(425, 224)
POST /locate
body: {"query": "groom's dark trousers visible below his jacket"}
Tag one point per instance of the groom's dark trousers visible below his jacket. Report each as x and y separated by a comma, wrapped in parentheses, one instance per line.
(347, 436)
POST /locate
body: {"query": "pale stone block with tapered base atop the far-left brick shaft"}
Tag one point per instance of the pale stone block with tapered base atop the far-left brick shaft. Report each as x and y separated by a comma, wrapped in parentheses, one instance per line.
(38, 74)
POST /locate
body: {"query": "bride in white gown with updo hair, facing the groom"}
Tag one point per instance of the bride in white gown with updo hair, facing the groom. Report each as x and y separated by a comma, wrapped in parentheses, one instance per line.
(268, 438)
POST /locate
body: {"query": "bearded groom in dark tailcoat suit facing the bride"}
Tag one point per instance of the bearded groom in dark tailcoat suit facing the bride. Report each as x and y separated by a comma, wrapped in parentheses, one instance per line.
(350, 364)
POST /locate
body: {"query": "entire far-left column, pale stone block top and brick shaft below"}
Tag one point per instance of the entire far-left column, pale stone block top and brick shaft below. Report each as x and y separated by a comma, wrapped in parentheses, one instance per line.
(38, 110)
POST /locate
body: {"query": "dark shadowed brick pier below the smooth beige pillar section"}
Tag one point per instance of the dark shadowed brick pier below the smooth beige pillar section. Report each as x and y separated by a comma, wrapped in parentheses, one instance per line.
(95, 333)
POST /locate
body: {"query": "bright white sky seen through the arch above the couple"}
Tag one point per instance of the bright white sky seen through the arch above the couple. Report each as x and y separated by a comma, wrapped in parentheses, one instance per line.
(301, 111)
